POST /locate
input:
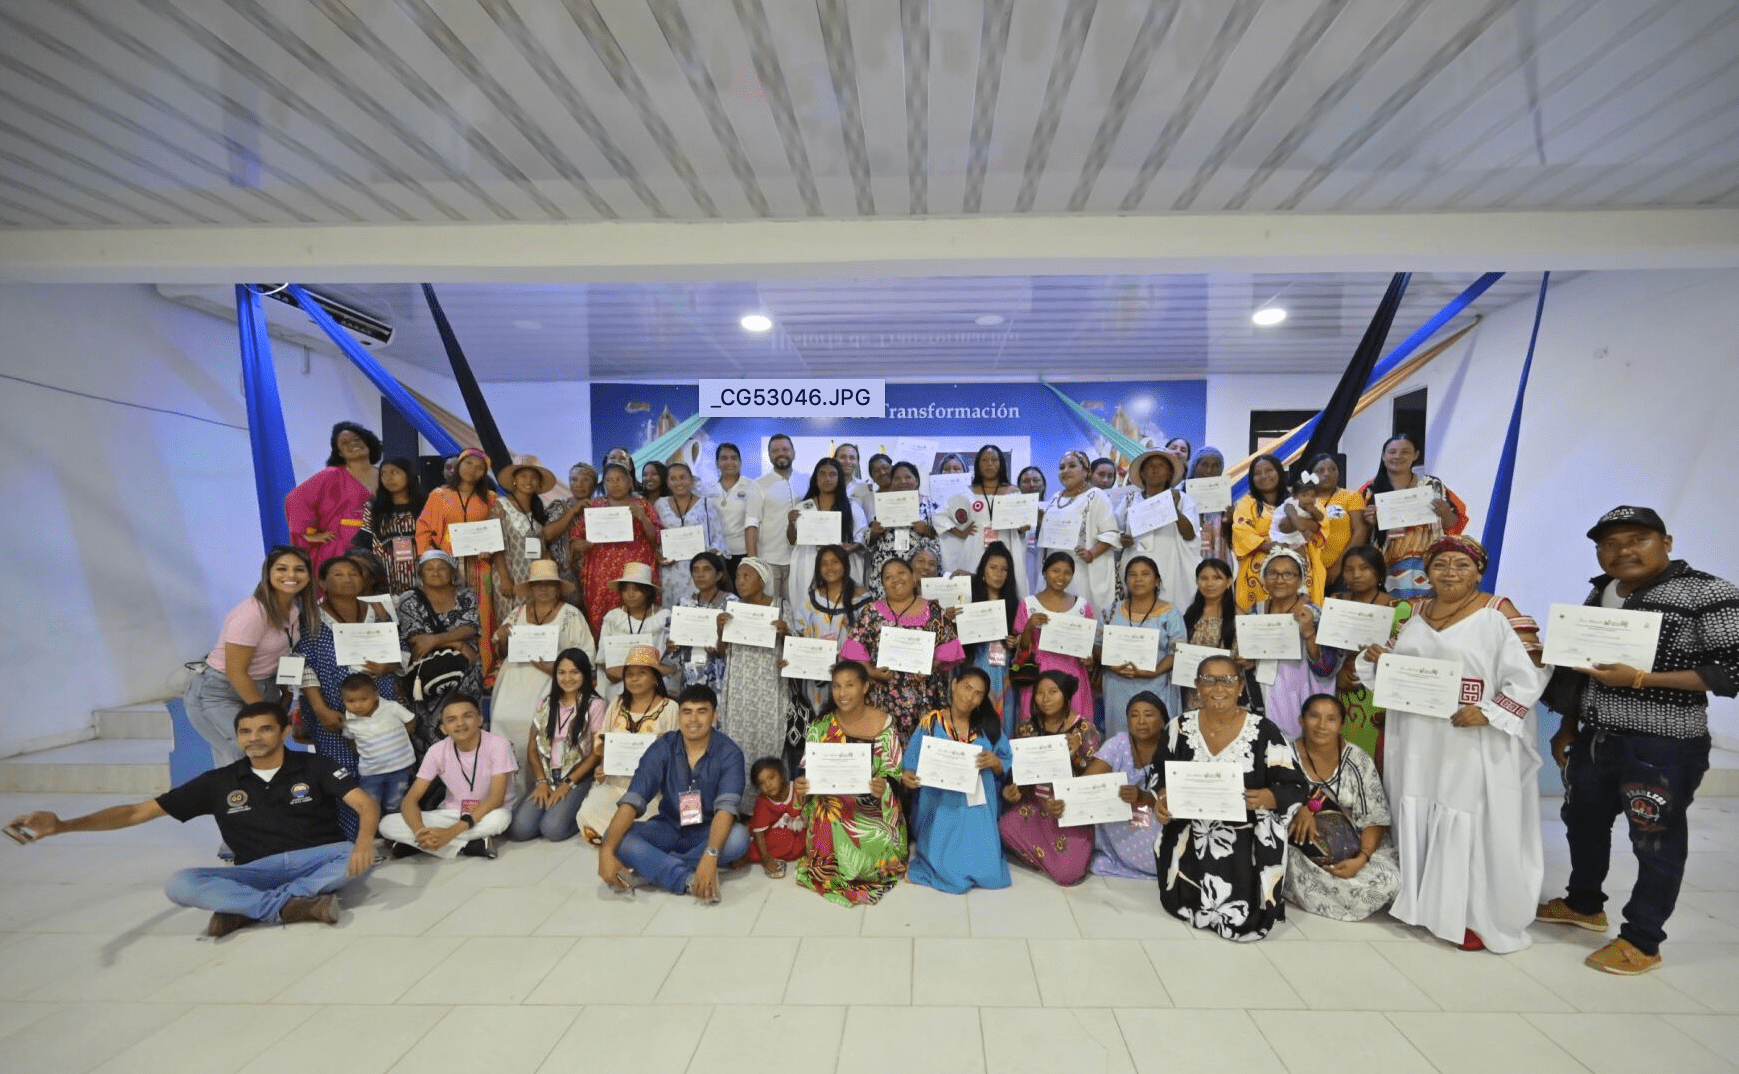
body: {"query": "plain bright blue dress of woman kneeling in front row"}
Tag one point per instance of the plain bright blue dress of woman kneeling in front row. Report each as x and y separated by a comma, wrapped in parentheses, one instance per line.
(956, 845)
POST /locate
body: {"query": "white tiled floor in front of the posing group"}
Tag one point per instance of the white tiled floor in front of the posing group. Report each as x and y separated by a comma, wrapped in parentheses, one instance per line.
(526, 965)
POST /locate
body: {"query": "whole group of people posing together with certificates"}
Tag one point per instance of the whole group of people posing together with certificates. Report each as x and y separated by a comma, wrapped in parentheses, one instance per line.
(1347, 811)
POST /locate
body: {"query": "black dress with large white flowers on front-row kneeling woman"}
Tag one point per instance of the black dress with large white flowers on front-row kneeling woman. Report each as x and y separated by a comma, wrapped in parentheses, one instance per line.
(1227, 875)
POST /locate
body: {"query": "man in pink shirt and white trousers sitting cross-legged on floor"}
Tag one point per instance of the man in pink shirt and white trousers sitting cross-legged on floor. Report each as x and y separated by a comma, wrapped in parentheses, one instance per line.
(477, 769)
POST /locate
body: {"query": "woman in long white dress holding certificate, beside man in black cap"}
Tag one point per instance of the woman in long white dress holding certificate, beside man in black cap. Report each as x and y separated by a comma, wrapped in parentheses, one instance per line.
(1462, 757)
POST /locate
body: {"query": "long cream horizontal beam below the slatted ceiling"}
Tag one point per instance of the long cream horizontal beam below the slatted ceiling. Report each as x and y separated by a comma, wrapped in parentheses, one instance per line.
(665, 251)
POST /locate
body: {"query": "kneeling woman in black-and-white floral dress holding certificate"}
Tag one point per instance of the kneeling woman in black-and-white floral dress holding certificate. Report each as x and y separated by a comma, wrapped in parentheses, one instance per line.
(1223, 851)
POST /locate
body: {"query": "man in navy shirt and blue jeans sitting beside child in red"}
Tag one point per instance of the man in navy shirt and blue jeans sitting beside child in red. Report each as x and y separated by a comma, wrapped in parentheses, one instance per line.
(698, 779)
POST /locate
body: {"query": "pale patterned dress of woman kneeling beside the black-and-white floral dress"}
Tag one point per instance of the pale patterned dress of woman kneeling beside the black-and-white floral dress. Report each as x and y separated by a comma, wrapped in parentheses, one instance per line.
(1357, 792)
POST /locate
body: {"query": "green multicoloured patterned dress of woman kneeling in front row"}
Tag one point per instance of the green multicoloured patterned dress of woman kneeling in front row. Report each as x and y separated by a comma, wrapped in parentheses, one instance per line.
(856, 849)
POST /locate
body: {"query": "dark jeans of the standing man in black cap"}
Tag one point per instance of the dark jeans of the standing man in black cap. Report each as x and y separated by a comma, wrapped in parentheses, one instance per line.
(1651, 779)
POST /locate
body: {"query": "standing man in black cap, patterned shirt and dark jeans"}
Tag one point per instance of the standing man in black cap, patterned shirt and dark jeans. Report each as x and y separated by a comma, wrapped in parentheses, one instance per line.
(1636, 741)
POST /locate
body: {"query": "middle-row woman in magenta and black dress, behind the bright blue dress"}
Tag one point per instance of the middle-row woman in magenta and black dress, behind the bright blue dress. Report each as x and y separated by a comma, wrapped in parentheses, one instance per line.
(905, 694)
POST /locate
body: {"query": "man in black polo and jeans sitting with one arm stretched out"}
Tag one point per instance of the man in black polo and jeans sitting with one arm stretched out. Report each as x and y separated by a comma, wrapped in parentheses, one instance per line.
(277, 809)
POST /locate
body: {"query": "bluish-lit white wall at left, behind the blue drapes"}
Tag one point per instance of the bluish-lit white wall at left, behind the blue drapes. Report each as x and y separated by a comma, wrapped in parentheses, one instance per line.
(133, 524)
